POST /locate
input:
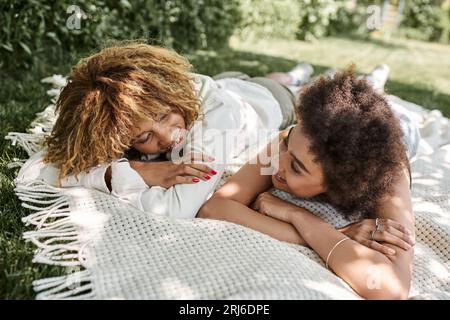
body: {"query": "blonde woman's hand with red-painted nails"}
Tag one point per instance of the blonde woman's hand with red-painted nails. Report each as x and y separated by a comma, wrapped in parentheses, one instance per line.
(167, 174)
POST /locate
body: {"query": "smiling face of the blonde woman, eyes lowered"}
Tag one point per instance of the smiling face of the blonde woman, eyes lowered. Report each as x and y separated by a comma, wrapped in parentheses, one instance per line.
(152, 137)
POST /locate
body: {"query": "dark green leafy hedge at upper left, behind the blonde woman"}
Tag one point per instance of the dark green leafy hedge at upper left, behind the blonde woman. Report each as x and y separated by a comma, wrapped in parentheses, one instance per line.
(30, 28)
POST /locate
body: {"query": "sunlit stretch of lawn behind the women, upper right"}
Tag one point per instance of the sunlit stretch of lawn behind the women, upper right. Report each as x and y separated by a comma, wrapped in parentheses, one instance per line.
(419, 70)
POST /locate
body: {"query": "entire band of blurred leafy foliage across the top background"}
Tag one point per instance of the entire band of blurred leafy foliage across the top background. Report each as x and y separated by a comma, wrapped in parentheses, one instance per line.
(30, 29)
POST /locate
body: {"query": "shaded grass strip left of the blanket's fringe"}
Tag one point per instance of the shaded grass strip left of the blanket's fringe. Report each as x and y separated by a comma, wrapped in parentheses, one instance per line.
(21, 96)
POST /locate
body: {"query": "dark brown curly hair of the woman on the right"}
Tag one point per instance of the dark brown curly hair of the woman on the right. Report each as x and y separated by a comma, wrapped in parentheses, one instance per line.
(356, 138)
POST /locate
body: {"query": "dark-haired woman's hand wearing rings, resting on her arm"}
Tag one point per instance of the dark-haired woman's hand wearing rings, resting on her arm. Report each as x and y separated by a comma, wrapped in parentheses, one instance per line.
(389, 231)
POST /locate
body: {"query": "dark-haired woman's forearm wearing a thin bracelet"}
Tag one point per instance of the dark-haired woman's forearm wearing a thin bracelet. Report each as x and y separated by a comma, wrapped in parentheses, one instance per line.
(370, 273)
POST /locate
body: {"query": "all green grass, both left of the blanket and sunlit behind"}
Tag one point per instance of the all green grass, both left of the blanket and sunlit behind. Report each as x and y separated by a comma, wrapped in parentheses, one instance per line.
(419, 73)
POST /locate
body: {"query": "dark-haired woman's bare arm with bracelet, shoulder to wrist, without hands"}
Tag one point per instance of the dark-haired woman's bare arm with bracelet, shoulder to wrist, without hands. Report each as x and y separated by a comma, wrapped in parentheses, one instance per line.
(371, 274)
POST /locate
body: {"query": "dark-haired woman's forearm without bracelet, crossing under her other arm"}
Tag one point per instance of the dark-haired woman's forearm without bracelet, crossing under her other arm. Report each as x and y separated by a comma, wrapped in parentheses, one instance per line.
(236, 212)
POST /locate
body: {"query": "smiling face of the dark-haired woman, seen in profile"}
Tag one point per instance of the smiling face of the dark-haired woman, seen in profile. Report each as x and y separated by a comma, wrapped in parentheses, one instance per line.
(298, 173)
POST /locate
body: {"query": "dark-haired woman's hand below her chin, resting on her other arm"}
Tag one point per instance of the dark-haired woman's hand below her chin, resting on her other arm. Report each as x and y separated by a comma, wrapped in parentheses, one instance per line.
(274, 207)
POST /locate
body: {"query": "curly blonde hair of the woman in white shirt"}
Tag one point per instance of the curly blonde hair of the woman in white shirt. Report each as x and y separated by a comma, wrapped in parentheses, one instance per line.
(107, 93)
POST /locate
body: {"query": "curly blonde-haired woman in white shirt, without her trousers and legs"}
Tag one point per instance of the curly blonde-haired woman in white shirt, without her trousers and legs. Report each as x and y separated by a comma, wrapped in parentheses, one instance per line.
(131, 102)
